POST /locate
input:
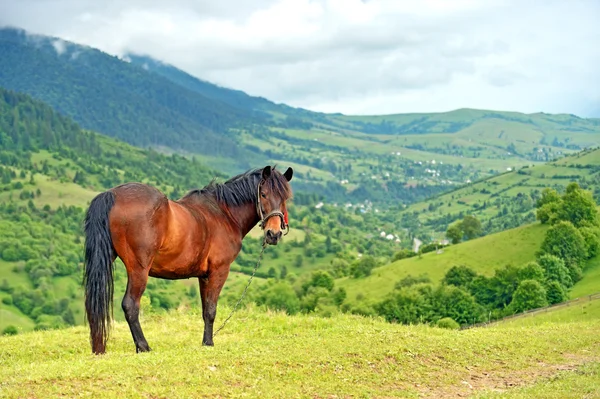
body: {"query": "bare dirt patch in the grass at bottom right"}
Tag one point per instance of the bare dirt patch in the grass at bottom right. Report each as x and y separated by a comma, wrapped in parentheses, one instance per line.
(476, 381)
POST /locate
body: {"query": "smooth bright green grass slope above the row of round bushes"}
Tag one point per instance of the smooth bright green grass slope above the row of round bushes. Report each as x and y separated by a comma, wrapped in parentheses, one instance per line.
(484, 255)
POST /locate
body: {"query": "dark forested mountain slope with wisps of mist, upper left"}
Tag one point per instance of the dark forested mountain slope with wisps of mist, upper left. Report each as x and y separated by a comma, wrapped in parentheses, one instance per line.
(113, 97)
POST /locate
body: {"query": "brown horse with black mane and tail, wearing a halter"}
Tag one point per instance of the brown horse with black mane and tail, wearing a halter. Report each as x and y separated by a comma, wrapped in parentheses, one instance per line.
(199, 235)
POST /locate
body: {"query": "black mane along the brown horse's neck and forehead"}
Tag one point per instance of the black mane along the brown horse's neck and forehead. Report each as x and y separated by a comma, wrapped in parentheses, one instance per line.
(242, 189)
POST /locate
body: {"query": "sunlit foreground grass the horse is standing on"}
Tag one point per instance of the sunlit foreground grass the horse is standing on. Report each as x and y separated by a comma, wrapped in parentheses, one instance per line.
(273, 355)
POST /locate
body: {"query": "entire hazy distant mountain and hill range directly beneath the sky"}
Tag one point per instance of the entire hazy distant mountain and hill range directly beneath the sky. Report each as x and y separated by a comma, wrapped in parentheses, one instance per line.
(385, 160)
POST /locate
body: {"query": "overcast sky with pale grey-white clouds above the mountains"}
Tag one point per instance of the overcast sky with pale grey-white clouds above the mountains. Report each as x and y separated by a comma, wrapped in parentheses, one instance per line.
(353, 56)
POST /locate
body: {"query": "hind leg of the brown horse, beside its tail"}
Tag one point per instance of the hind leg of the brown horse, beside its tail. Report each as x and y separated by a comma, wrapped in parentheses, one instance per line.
(137, 278)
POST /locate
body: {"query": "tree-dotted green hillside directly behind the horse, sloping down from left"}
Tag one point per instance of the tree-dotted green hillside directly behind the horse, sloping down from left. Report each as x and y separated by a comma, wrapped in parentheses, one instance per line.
(50, 169)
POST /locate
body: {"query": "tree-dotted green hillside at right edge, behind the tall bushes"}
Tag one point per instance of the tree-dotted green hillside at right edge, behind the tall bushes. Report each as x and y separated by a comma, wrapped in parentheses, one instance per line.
(506, 200)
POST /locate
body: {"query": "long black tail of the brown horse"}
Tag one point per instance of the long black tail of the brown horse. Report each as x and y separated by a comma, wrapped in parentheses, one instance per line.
(98, 275)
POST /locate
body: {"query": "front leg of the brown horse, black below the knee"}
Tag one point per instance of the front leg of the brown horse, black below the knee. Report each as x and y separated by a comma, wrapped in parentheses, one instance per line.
(210, 288)
